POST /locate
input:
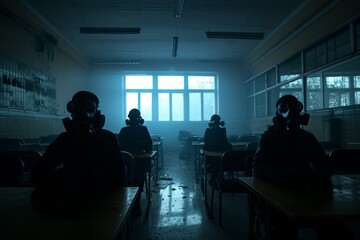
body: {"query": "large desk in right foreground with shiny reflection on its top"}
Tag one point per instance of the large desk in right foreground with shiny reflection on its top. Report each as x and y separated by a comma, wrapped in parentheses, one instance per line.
(303, 205)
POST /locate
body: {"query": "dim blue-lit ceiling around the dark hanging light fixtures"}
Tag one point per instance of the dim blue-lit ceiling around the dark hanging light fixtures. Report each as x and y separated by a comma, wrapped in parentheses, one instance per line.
(159, 25)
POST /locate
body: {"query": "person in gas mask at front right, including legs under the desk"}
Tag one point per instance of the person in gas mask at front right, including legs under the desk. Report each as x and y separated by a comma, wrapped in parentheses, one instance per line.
(288, 154)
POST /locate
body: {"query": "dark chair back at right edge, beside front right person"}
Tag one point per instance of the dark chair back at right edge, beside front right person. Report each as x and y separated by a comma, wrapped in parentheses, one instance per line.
(345, 160)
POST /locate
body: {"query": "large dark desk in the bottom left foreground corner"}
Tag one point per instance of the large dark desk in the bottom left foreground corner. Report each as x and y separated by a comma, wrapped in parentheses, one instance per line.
(25, 213)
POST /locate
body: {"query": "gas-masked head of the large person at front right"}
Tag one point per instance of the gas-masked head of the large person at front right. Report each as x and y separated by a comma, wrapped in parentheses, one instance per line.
(288, 109)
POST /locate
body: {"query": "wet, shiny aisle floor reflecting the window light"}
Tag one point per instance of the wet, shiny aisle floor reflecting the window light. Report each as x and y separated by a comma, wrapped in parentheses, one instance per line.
(178, 212)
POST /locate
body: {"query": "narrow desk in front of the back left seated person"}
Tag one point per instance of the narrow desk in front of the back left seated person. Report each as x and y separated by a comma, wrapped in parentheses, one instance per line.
(143, 161)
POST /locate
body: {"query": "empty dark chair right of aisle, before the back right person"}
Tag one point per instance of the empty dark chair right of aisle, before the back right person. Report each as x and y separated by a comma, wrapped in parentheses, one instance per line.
(232, 166)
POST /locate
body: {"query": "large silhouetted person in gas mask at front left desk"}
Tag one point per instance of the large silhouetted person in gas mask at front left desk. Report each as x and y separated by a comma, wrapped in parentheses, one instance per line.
(85, 157)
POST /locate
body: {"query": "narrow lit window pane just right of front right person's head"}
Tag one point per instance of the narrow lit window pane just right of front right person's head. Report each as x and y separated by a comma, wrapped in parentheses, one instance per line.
(314, 93)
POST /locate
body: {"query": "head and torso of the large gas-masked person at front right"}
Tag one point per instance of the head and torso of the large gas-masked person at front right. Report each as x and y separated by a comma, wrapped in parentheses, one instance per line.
(287, 152)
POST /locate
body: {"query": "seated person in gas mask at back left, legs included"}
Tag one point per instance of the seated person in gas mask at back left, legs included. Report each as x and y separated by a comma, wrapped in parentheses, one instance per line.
(135, 138)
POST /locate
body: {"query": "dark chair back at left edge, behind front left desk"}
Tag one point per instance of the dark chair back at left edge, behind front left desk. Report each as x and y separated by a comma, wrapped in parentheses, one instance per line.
(11, 171)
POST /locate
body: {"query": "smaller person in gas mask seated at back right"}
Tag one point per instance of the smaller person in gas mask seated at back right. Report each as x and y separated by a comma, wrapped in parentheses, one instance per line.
(215, 139)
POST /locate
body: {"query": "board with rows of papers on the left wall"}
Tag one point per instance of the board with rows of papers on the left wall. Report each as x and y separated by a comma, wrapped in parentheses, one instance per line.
(23, 88)
